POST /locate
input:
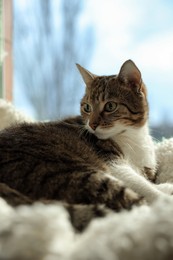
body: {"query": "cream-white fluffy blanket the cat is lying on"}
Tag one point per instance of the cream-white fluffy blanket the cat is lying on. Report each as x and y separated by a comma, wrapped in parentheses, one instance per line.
(44, 232)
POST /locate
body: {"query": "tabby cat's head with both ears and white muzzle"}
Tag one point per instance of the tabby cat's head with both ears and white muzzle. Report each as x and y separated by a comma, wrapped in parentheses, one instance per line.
(113, 104)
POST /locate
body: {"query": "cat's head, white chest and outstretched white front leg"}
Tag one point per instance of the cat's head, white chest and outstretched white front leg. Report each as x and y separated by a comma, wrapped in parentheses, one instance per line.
(116, 107)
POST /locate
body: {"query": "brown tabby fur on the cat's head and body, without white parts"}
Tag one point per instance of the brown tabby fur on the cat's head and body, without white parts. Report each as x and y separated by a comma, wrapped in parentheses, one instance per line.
(63, 161)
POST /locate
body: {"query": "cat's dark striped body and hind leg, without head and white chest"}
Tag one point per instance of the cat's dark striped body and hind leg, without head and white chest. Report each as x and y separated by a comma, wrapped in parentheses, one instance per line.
(56, 161)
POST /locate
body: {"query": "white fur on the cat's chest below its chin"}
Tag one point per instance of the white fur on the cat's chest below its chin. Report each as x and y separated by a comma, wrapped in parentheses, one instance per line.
(138, 147)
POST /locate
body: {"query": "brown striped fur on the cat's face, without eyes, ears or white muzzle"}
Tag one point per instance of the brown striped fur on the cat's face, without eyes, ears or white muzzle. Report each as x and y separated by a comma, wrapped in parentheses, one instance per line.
(132, 110)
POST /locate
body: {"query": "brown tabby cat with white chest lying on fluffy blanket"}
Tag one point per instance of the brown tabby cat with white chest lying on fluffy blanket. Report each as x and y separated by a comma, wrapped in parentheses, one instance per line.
(105, 156)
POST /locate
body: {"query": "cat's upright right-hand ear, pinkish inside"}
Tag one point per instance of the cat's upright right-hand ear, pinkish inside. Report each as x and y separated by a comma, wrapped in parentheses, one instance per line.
(130, 74)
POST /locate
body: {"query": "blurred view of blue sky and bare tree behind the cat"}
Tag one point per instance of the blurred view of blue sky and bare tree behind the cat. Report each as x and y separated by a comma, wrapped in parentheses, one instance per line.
(50, 36)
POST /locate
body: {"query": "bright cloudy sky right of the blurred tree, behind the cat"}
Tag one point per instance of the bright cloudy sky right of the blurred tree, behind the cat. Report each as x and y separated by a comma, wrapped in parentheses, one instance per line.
(139, 30)
